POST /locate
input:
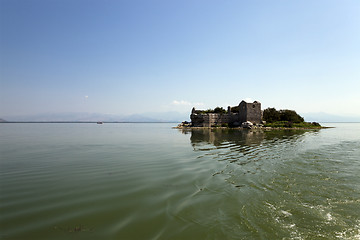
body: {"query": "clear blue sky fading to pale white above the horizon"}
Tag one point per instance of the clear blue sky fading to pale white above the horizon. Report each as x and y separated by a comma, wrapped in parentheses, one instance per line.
(133, 56)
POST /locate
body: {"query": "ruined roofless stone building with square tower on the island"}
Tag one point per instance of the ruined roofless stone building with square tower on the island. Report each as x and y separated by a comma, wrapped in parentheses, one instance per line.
(246, 112)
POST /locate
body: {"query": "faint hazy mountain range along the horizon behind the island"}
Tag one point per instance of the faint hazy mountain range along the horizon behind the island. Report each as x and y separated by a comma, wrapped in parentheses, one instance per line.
(149, 117)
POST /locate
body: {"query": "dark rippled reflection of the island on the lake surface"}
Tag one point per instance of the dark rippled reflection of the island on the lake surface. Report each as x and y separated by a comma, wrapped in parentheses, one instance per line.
(242, 146)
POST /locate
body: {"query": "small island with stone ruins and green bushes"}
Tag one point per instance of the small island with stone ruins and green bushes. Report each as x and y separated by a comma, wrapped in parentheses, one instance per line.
(247, 115)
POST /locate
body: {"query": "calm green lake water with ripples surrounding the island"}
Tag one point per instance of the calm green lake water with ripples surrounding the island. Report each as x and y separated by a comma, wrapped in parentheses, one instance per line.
(149, 181)
